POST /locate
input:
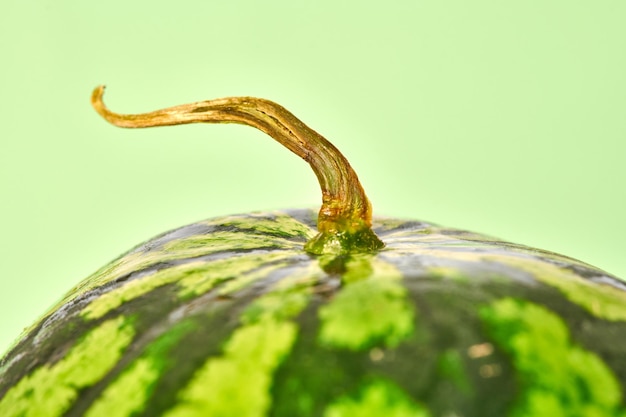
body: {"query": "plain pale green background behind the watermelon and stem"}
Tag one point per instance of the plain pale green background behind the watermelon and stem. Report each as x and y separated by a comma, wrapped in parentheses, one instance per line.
(507, 118)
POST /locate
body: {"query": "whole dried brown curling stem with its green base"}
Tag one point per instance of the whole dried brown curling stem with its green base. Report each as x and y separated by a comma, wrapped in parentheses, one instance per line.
(344, 220)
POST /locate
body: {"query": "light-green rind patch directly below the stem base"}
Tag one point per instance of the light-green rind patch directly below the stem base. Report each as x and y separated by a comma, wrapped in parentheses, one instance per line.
(372, 310)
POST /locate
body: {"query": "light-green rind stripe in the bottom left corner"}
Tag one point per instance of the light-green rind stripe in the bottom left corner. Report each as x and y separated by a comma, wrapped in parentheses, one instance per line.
(51, 389)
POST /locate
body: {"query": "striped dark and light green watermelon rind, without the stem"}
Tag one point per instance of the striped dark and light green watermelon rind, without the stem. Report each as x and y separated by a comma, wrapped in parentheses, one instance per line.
(230, 317)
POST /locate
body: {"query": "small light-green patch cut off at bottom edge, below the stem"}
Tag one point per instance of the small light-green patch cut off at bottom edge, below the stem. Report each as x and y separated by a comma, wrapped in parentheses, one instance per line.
(376, 399)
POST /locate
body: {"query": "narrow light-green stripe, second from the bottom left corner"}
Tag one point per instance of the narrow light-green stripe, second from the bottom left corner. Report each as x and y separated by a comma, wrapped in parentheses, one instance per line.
(127, 394)
